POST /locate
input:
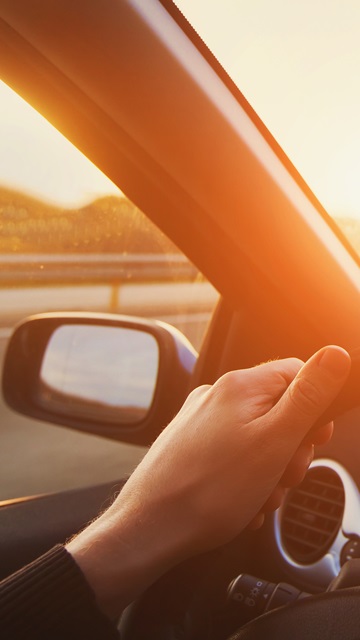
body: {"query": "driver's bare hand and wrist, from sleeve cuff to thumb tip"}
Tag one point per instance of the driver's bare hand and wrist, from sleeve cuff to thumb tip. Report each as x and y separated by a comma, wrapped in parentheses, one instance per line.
(222, 461)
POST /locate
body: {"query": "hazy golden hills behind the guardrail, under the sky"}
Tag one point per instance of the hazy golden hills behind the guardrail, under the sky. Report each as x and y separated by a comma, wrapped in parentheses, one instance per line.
(109, 224)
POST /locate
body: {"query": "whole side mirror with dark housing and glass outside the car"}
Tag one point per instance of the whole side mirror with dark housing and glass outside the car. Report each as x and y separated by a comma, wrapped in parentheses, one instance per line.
(114, 376)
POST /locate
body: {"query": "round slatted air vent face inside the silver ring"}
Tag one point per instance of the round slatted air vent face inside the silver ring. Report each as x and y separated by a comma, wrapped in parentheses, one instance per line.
(312, 515)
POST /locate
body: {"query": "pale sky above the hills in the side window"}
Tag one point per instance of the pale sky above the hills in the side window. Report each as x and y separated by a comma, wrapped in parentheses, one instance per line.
(39, 160)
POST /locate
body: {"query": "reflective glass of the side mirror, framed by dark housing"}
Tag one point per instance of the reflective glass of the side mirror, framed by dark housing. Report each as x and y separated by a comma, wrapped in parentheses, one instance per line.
(99, 372)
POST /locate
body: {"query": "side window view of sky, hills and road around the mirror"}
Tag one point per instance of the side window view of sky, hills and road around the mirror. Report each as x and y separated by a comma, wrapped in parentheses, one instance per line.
(70, 240)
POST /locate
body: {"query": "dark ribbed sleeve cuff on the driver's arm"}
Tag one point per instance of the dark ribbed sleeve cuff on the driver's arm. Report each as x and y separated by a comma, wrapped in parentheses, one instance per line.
(50, 599)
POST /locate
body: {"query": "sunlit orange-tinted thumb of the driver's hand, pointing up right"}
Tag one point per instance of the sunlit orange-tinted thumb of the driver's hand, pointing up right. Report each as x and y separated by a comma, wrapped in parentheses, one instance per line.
(312, 390)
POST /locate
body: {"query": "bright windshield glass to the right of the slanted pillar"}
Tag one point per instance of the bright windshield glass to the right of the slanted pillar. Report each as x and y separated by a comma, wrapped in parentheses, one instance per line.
(298, 64)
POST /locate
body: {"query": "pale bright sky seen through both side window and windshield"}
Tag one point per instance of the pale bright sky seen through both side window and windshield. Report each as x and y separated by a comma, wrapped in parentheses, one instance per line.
(298, 64)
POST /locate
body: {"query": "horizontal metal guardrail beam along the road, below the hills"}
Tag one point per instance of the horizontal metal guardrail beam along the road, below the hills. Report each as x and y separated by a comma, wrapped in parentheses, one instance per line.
(23, 269)
